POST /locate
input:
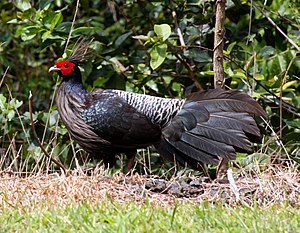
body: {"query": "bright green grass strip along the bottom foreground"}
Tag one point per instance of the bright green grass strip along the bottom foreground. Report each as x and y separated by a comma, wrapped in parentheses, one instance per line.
(183, 216)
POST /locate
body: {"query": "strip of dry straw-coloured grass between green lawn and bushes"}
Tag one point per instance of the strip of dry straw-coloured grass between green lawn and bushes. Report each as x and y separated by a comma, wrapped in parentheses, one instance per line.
(274, 185)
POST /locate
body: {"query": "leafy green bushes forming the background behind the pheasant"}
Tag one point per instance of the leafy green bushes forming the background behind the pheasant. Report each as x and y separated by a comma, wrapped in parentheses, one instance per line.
(130, 53)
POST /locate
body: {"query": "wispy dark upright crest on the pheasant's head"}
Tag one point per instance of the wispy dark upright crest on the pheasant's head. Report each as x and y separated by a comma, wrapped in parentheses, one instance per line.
(80, 53)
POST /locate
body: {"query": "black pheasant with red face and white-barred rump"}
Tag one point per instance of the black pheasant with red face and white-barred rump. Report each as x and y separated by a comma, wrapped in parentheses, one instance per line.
(200, 129)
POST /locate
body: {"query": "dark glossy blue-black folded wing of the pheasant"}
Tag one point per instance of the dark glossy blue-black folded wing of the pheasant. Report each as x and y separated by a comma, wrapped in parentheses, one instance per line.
(116, 121)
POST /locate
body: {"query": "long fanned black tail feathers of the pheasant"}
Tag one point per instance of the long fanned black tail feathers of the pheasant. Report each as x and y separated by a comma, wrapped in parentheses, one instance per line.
(211, 124)
